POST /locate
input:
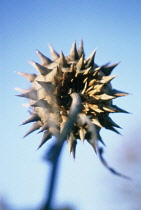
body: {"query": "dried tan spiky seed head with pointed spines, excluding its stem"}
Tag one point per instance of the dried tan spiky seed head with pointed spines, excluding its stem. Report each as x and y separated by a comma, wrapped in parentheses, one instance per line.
(50, 96)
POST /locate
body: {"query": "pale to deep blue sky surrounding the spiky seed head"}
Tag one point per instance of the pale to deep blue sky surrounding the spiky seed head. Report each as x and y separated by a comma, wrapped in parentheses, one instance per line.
(114, 28)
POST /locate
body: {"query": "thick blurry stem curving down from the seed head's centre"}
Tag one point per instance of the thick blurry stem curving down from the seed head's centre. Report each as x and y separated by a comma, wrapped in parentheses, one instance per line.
(54, 153)
